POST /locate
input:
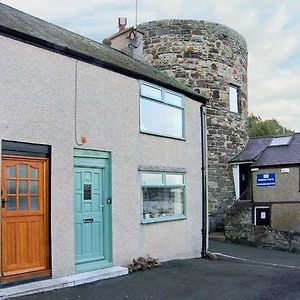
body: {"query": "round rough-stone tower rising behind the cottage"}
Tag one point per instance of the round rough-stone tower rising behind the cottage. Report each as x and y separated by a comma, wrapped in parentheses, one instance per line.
(207, 57)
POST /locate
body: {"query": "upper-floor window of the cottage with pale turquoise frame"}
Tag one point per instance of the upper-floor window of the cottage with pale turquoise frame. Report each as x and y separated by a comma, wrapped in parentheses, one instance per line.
(161, 112)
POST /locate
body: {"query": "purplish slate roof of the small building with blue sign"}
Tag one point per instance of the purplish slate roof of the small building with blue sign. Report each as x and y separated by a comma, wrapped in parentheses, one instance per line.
(259, 151)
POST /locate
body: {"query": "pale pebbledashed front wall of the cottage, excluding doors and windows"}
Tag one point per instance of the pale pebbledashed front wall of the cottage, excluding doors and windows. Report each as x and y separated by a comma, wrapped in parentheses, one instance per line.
(37, 105)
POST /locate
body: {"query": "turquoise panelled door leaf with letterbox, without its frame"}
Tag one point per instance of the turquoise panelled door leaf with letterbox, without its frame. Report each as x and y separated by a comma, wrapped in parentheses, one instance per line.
(89, 214)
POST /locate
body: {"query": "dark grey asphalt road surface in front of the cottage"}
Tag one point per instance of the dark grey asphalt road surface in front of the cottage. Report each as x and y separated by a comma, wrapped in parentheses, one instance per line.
(241, 272)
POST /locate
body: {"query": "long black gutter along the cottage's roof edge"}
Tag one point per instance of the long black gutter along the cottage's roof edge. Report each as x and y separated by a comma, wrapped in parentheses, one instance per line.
(44, 44)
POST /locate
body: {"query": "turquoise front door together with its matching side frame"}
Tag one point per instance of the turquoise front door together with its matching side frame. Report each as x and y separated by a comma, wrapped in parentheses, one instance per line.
(92, 214)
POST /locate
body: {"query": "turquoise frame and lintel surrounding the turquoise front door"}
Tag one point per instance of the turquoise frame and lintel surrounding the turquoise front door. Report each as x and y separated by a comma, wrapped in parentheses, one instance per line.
(83, 158)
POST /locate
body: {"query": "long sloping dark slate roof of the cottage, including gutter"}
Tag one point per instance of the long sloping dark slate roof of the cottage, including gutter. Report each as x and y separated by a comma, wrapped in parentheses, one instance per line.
(26, 28)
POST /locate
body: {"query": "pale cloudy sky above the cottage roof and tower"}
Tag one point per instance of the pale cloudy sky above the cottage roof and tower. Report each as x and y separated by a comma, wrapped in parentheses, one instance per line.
(270, 27)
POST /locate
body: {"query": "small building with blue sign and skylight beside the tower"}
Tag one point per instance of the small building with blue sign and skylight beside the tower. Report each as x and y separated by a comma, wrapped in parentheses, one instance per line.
(267, 172)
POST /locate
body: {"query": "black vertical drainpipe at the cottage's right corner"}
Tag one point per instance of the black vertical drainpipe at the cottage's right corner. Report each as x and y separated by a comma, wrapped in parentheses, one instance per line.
(204, 182)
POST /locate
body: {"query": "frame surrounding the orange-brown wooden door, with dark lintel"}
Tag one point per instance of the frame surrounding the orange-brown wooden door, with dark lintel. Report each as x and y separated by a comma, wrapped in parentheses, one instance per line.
(23, 156)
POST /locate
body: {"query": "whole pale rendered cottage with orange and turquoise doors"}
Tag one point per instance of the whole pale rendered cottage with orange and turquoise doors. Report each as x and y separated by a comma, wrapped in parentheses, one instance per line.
(102, 158)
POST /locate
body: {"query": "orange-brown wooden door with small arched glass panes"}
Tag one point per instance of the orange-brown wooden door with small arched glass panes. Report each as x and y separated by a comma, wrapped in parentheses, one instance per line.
(24, 216)
